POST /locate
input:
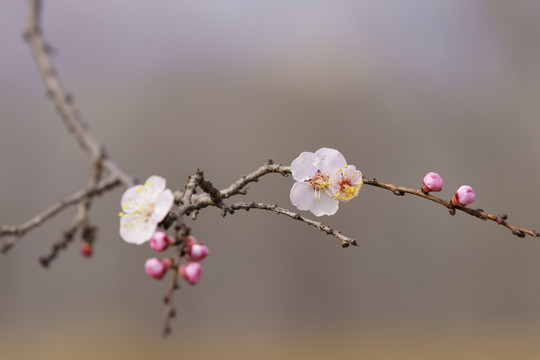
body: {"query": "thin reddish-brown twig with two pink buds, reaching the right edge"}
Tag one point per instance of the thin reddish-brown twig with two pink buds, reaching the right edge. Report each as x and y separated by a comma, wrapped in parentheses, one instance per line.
(479, 213)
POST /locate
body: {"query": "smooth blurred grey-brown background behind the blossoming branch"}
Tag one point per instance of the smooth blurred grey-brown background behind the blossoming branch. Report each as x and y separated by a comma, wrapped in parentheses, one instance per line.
(400, 87)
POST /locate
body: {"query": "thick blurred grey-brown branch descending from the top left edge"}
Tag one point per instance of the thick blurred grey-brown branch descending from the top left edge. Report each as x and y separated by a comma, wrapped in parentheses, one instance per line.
(32, 34)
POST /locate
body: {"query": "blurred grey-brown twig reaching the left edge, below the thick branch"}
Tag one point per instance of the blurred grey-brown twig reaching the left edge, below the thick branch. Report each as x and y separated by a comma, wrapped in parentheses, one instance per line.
(17, 231)
